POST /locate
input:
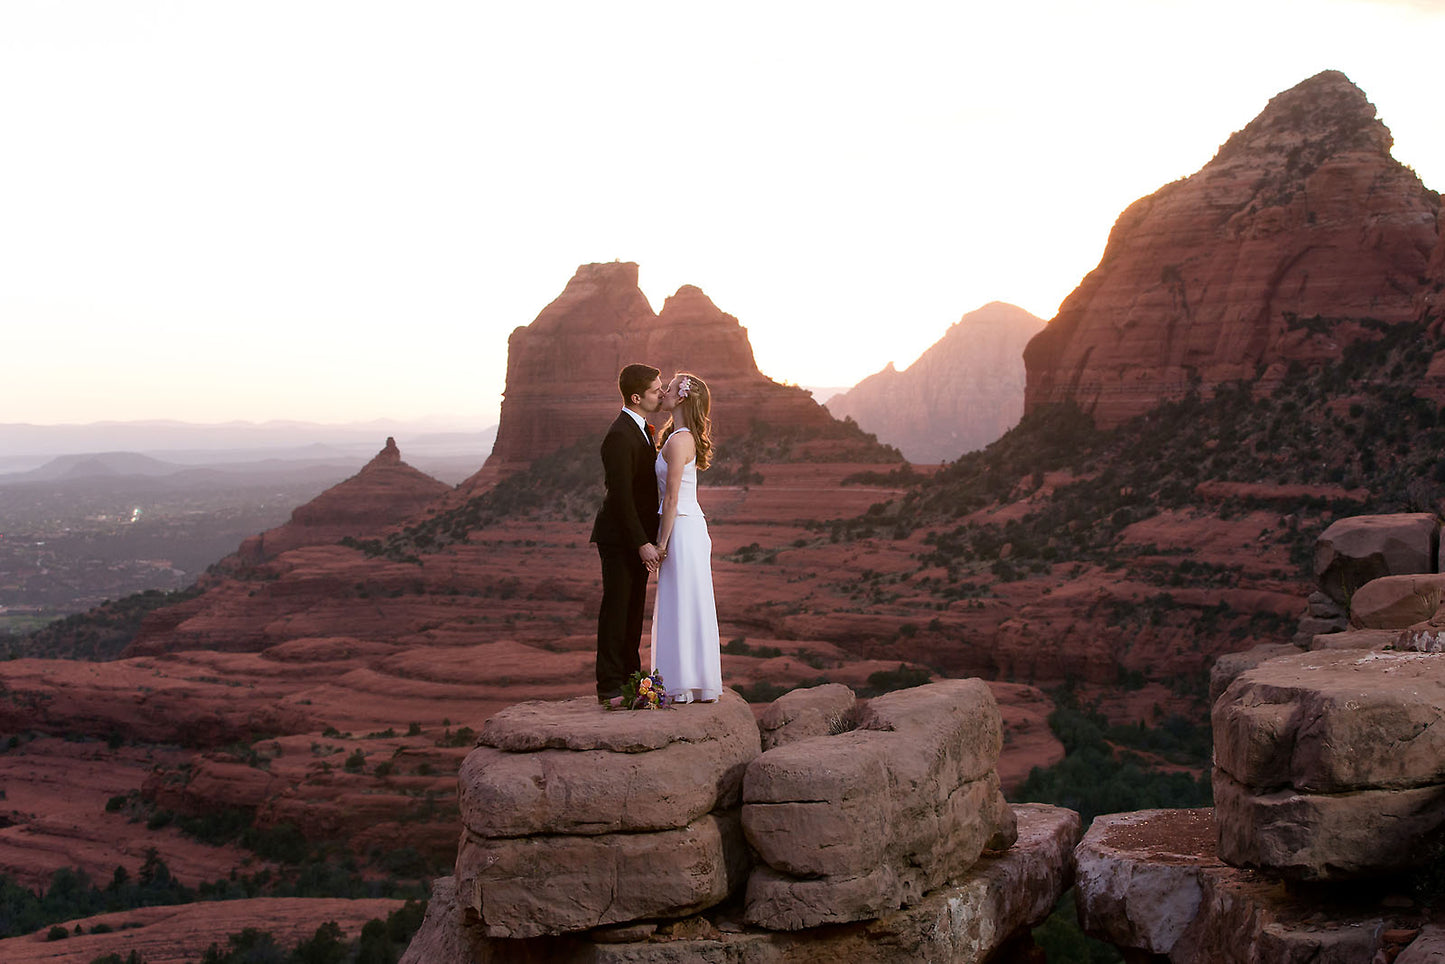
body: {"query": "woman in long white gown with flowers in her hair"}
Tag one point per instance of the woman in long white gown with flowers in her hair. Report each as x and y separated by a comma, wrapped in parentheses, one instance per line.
(684, 616)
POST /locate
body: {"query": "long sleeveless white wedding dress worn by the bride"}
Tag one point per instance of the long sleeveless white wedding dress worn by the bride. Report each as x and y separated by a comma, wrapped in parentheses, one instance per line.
(684, 616)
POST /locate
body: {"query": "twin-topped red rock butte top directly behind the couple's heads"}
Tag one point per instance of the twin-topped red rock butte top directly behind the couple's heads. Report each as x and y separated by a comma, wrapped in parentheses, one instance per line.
(563, 368)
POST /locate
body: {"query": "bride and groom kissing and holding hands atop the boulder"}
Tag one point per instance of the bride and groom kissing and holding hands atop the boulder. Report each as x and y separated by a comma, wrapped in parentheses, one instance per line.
(651, 522)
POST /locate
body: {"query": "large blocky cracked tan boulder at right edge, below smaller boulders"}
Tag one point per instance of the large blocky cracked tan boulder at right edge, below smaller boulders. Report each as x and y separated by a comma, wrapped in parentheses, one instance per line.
(1304, 786)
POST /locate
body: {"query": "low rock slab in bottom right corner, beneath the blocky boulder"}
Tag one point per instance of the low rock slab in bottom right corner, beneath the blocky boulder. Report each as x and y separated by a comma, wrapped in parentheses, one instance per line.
(1152, 885)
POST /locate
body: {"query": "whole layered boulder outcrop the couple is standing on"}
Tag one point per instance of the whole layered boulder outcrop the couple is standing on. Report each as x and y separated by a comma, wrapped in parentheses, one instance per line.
(592, 833)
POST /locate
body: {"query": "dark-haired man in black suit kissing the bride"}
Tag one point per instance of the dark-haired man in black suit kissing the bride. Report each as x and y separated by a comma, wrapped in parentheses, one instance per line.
(626, 528)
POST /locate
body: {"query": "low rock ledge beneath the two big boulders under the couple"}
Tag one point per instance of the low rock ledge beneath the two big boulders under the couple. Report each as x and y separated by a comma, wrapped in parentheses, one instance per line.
(963, 923)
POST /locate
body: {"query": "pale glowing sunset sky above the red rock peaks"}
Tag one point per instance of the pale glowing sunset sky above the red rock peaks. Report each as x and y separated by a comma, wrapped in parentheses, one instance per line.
(339, 212)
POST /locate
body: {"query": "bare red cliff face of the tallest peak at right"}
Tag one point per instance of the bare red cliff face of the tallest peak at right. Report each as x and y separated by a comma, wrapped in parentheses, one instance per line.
(1300, 228)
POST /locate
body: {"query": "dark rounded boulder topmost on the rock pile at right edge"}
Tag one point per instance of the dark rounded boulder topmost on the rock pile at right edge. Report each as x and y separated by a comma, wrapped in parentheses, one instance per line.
(1358, 550)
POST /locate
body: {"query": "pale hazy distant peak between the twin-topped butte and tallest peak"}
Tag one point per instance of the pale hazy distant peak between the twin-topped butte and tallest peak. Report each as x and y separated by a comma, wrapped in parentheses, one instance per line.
(960, 395)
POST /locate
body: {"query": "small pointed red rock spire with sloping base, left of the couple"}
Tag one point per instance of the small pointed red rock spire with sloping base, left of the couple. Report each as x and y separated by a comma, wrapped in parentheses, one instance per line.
(385, 494)
